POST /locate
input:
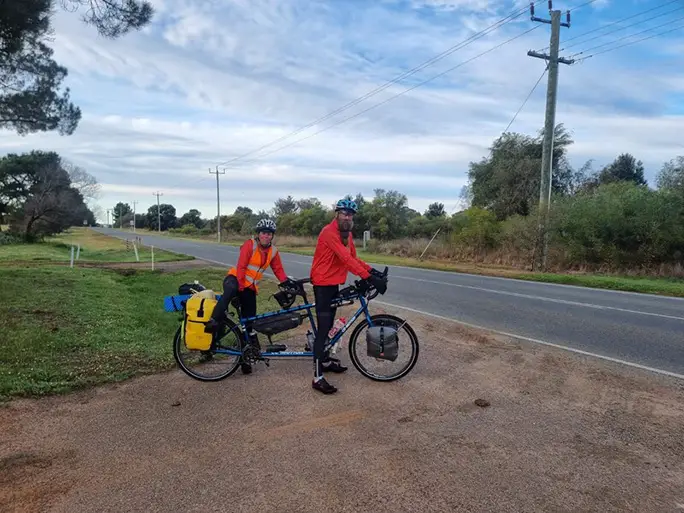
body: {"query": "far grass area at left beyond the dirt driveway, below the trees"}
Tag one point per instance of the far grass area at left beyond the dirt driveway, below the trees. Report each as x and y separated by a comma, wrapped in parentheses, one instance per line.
(95, 248)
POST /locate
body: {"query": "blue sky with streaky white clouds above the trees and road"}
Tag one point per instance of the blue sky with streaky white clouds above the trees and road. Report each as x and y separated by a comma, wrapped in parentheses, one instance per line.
(212, 80)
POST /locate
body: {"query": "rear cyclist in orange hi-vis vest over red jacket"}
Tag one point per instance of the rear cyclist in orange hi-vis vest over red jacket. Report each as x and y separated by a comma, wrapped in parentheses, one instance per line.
(256, 254)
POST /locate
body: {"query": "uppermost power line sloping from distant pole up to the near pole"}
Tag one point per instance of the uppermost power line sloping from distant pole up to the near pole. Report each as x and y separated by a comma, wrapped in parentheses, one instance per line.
(512, 16)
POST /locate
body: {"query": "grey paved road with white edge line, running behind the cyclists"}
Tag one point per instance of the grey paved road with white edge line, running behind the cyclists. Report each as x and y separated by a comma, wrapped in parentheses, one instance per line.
(640, 329)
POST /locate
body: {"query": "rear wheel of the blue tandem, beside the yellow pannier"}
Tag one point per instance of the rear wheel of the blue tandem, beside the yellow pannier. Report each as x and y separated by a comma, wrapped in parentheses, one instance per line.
(209, 365)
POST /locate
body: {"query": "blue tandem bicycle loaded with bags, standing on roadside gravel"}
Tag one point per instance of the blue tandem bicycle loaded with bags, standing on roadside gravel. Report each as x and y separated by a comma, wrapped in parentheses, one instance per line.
(389, 353)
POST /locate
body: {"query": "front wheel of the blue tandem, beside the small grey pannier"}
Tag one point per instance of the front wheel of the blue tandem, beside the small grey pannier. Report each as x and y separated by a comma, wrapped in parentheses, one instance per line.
(379, 369)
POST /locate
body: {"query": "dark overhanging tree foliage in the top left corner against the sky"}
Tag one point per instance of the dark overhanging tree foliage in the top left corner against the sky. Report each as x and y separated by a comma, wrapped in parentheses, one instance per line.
(30, 80)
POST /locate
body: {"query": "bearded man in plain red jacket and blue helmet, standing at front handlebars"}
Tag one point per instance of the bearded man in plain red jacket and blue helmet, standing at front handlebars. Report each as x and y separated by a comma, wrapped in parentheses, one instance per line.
(335, 255)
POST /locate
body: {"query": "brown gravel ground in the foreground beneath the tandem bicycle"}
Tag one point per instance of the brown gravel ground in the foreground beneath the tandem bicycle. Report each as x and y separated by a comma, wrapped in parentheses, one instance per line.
(481, 424)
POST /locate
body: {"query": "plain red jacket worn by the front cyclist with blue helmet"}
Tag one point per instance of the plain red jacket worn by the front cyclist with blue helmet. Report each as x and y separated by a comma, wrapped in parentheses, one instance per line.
(332, 259)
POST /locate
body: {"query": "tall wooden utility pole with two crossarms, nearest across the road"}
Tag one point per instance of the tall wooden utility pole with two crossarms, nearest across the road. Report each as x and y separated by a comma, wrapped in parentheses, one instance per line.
(549, 127)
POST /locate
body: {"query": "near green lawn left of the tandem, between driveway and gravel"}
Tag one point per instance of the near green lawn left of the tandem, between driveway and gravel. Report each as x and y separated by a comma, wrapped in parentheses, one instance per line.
(66, 329)
